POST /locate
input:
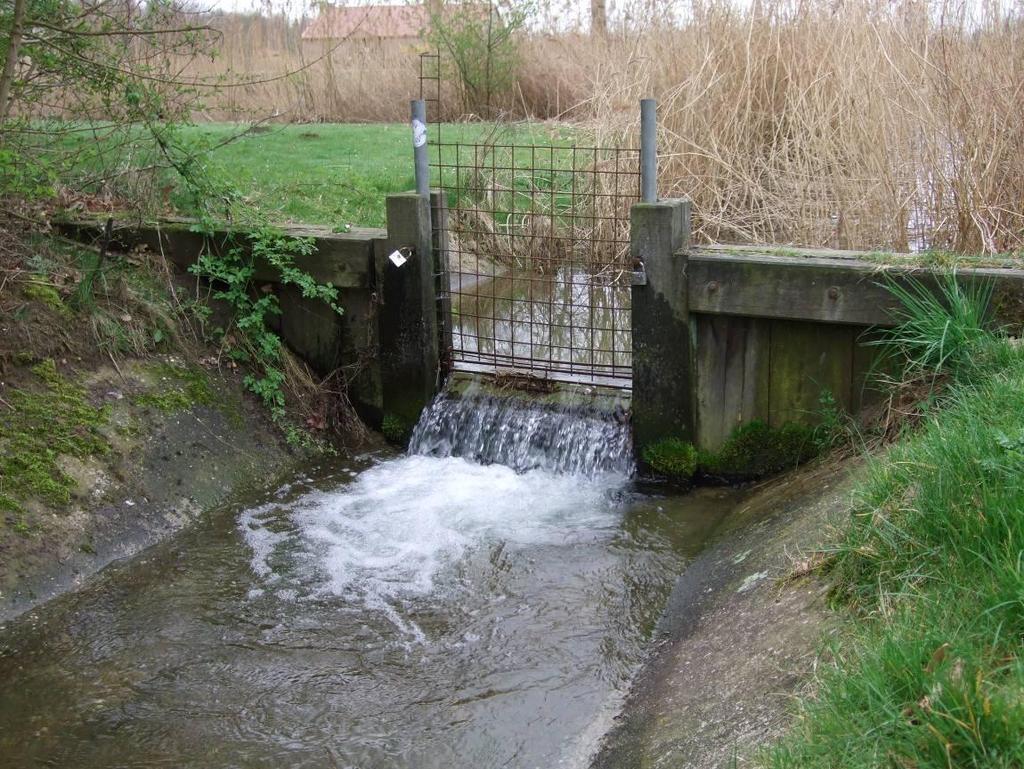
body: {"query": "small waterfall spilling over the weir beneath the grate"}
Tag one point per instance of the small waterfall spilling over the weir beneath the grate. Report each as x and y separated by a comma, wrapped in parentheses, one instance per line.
(573, 433)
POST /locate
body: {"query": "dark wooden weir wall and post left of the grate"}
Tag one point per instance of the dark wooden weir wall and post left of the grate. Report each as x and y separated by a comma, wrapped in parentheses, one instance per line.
(388, 339)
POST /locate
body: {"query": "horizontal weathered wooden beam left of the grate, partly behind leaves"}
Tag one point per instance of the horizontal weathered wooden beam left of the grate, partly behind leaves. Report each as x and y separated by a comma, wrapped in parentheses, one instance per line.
(342, 260)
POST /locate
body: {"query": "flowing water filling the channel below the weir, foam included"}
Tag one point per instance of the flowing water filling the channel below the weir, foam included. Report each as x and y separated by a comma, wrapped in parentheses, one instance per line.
(426, 611)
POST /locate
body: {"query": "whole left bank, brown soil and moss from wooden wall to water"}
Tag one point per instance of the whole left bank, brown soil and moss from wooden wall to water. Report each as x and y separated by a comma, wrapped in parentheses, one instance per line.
(120, 419)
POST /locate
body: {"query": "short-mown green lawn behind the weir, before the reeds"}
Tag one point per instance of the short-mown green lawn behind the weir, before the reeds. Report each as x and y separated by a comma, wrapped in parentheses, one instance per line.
(333, 175)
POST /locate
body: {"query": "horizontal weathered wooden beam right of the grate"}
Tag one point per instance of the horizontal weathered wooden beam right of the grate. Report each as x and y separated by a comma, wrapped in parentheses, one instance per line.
(829, 289)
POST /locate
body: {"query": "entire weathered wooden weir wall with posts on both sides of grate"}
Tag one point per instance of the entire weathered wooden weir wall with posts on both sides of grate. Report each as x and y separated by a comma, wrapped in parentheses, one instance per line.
(722, 336)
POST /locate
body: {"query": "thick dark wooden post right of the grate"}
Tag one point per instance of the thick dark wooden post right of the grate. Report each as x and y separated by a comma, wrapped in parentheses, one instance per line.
(663, 349)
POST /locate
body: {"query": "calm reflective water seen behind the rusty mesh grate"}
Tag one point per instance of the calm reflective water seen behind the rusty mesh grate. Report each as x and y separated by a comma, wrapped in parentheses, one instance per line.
(573, 322)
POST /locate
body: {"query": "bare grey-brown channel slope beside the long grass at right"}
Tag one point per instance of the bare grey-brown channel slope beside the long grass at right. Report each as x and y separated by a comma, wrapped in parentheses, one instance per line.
(740, 635)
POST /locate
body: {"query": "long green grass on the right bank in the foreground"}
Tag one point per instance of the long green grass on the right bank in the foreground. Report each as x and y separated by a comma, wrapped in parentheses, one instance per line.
(932, 569)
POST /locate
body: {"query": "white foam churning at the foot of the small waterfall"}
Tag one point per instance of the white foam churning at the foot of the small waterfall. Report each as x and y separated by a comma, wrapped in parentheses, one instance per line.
(395, 533)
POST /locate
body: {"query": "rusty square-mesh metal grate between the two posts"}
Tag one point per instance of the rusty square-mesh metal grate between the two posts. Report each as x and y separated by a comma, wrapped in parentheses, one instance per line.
(537, 250)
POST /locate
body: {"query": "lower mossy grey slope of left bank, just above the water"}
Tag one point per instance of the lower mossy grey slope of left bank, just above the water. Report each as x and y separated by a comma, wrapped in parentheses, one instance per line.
(168, 443)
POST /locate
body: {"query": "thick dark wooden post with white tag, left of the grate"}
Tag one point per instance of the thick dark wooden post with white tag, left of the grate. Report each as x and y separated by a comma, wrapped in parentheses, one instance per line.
(408, 313)
